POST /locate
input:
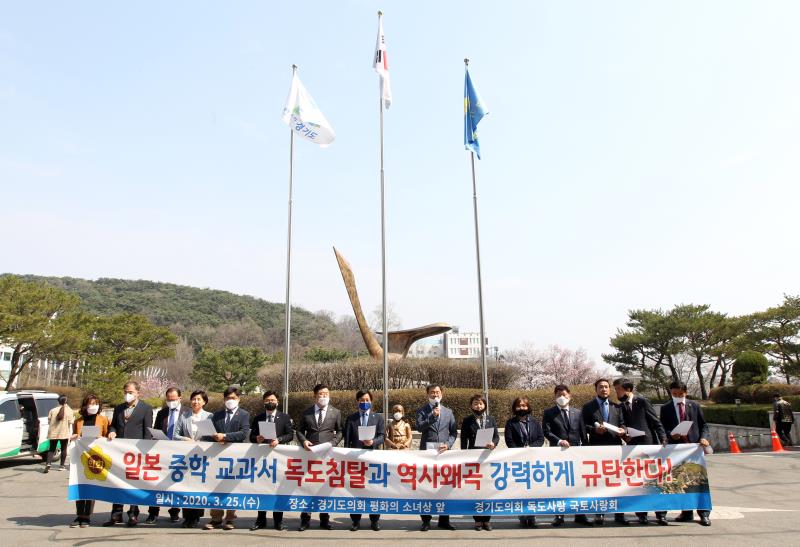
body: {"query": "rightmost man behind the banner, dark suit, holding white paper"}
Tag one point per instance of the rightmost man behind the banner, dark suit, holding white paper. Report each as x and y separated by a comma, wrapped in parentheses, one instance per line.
(680, 410)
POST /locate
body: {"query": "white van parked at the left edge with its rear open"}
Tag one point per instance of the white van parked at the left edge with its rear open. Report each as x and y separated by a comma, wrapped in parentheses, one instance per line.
(23, 422)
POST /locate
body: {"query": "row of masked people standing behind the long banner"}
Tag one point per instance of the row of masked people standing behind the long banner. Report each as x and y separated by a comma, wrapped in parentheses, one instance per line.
(562, 425)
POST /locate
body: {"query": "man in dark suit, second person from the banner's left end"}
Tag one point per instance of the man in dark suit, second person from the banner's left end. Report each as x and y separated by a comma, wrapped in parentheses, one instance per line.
(130, 421)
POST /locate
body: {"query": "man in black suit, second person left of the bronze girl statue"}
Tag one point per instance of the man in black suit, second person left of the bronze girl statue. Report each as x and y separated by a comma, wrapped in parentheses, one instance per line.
(319, 424)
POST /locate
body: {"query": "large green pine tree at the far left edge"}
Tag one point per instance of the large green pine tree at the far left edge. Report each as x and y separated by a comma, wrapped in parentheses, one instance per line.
(38, 322)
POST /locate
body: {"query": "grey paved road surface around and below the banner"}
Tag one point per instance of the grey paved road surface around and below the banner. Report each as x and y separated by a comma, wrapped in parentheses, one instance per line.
(756, 500)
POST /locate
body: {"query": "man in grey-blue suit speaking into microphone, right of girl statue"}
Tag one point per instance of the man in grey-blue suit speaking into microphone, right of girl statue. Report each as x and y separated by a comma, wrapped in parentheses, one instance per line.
(437, 427)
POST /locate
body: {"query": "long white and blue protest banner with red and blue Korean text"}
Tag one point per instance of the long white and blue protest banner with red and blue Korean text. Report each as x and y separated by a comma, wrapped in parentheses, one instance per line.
(516, 481)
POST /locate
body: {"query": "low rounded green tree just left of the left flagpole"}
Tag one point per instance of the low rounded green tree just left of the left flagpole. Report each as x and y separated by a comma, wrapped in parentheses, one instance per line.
(218, 369)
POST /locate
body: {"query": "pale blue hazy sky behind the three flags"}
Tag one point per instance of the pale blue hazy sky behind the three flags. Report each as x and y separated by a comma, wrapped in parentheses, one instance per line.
(635, 155)
